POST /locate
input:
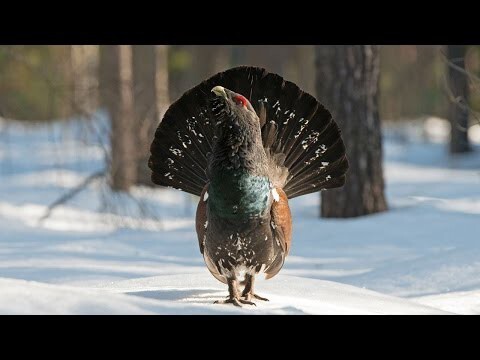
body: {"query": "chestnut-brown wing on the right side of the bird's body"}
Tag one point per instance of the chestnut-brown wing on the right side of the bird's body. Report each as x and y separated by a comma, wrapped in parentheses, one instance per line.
(282, 231)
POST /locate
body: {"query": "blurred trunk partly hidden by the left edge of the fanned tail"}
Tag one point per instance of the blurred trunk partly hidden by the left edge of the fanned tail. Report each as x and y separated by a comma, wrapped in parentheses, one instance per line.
(150, 79)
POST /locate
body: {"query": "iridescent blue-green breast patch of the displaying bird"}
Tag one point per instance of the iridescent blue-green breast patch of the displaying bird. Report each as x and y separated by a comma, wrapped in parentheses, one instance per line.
(238, 194)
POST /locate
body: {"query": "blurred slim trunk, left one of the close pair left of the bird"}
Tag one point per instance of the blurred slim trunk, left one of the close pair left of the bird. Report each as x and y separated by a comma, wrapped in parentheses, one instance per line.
(117, 96)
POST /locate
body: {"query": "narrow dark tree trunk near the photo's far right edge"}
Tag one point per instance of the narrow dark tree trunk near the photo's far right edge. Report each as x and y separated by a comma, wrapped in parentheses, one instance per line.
(458, 109)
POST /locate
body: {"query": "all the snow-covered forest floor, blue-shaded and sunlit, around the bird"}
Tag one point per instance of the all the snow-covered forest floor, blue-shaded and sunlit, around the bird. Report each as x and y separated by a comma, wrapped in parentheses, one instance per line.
(105, 253)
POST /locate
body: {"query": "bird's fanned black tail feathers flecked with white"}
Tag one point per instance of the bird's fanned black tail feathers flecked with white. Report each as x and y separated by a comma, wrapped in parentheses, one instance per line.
(306, 150)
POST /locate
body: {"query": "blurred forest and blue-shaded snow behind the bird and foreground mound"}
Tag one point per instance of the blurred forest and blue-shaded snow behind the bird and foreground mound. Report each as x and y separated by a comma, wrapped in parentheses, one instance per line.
(77, 204)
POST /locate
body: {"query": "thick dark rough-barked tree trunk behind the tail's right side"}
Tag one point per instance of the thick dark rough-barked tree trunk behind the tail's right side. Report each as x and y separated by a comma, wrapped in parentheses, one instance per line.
(347, 84)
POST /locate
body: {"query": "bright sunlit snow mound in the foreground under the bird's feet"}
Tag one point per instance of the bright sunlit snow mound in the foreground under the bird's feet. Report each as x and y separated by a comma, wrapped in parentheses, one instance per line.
(194, 294)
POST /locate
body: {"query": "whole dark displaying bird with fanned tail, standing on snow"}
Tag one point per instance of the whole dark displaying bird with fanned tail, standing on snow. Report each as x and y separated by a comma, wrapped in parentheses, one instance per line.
(246, 141)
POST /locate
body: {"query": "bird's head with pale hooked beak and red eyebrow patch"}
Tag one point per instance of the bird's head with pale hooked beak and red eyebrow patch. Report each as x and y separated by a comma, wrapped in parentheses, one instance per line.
(232, 110)
